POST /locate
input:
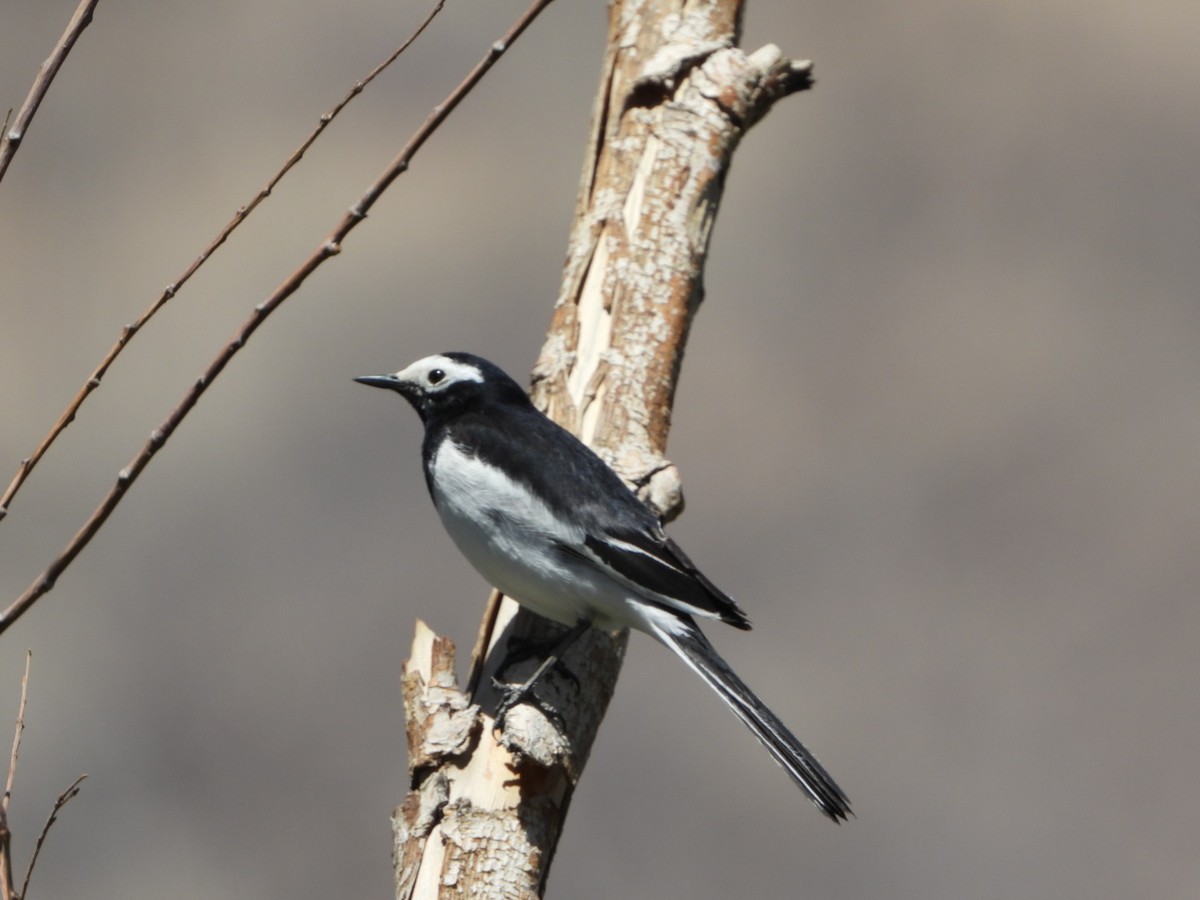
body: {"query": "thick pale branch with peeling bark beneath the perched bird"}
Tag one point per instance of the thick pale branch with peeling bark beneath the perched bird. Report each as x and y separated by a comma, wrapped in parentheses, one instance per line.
(676, 97)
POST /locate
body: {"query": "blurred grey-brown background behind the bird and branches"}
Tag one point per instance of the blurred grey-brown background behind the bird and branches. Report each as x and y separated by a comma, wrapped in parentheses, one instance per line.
(938, 425)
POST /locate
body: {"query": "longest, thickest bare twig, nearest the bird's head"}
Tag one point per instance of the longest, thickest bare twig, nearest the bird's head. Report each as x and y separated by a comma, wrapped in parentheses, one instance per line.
(329, 248)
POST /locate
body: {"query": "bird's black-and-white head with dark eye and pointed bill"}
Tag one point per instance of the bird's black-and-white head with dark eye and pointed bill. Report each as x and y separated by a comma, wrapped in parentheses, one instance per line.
(448, 382)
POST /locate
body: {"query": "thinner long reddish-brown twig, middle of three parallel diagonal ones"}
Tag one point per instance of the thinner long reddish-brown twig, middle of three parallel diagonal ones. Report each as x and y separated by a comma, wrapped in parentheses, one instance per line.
(94, 380)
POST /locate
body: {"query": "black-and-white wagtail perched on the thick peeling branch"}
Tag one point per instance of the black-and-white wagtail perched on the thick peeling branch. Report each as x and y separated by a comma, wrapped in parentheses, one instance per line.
(544, 520)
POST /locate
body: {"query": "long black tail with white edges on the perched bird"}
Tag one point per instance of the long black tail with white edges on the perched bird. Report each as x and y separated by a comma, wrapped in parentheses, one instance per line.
(687, 640)
